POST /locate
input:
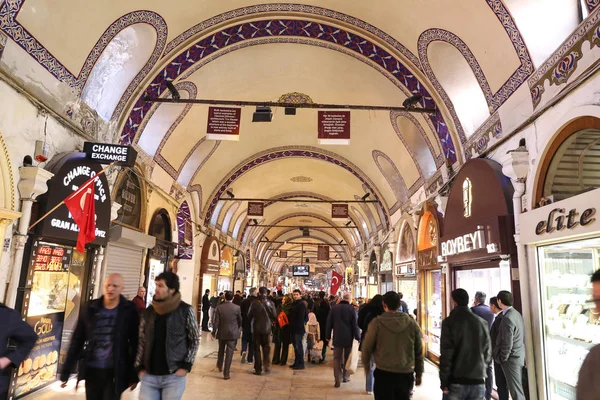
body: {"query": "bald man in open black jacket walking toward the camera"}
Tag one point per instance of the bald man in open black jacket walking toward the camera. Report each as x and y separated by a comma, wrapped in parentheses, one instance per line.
(110, 327)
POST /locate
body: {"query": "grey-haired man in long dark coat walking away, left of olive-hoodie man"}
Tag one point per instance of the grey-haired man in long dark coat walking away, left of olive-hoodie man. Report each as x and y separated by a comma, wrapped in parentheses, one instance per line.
(343, 320)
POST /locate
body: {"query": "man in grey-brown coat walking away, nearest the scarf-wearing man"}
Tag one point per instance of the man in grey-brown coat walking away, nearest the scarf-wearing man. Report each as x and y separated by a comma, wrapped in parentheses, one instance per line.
(226, 328)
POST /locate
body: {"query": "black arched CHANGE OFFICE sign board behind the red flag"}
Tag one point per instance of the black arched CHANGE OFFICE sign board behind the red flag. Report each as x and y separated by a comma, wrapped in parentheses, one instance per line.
(70, 172)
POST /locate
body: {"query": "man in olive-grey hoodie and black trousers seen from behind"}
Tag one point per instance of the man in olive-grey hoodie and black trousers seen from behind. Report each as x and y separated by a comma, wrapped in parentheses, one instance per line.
(394, 340)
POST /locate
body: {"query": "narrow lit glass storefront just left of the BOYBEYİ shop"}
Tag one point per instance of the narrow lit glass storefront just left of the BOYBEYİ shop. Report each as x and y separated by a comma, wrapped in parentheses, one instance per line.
(434, 296)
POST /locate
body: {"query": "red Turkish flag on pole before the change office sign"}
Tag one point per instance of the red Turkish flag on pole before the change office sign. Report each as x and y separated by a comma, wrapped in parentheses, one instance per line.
(82, 206)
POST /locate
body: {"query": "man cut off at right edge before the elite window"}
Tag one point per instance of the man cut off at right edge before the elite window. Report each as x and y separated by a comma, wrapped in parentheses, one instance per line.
(588, 386)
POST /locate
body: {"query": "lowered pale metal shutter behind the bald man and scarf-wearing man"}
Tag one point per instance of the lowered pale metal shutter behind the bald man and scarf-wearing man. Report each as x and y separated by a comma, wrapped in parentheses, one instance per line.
(126, 261)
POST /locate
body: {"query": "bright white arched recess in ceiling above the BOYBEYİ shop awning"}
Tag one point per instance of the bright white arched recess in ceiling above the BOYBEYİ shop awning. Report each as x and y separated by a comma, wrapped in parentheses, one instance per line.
(455, 75)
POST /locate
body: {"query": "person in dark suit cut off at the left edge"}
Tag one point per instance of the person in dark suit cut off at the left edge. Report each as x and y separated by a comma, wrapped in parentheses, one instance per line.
(17, 339)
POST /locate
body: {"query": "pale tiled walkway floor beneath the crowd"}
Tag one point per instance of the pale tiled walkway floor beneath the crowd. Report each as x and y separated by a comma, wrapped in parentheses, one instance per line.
(315, 382)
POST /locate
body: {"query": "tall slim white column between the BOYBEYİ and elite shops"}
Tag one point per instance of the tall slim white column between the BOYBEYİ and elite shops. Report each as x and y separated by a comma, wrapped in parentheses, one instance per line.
(515, 165)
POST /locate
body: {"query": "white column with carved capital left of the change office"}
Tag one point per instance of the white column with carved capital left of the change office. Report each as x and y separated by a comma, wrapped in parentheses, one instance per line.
(32, 184)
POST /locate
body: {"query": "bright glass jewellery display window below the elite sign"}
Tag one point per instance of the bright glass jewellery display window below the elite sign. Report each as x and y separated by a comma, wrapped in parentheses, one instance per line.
(571, 325)
